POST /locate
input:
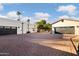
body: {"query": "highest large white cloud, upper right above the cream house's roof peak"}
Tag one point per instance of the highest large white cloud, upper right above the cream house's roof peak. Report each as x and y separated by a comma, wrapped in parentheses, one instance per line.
(68, 8)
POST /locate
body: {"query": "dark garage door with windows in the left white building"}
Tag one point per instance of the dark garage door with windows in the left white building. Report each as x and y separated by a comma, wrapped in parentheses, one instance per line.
(8, 30)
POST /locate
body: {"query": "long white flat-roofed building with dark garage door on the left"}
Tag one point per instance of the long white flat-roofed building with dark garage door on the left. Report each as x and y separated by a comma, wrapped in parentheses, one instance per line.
(8, 26)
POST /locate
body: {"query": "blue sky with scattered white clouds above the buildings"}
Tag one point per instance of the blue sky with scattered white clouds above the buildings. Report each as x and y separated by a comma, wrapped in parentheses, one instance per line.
(35, 11)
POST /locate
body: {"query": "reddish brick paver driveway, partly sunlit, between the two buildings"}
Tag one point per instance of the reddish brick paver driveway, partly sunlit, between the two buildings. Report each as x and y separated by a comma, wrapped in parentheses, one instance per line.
(35, 44)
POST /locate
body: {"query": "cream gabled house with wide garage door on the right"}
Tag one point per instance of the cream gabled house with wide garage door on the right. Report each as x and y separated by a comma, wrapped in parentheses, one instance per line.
(66, 26)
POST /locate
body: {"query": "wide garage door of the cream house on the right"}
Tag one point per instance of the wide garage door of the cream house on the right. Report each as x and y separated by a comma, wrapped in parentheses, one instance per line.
(64, 30)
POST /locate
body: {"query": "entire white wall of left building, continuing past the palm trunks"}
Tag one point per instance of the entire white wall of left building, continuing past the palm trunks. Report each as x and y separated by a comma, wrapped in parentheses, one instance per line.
(18, 24)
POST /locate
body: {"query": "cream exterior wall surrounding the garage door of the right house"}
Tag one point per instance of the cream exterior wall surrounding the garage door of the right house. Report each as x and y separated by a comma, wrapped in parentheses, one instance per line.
(67, 23)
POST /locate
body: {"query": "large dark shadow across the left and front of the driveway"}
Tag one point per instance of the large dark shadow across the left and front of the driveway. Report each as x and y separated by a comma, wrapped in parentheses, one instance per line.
(18, 45)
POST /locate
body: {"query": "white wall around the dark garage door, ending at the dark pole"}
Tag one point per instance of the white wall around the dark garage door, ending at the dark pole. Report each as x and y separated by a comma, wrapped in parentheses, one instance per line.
(8, 22)
